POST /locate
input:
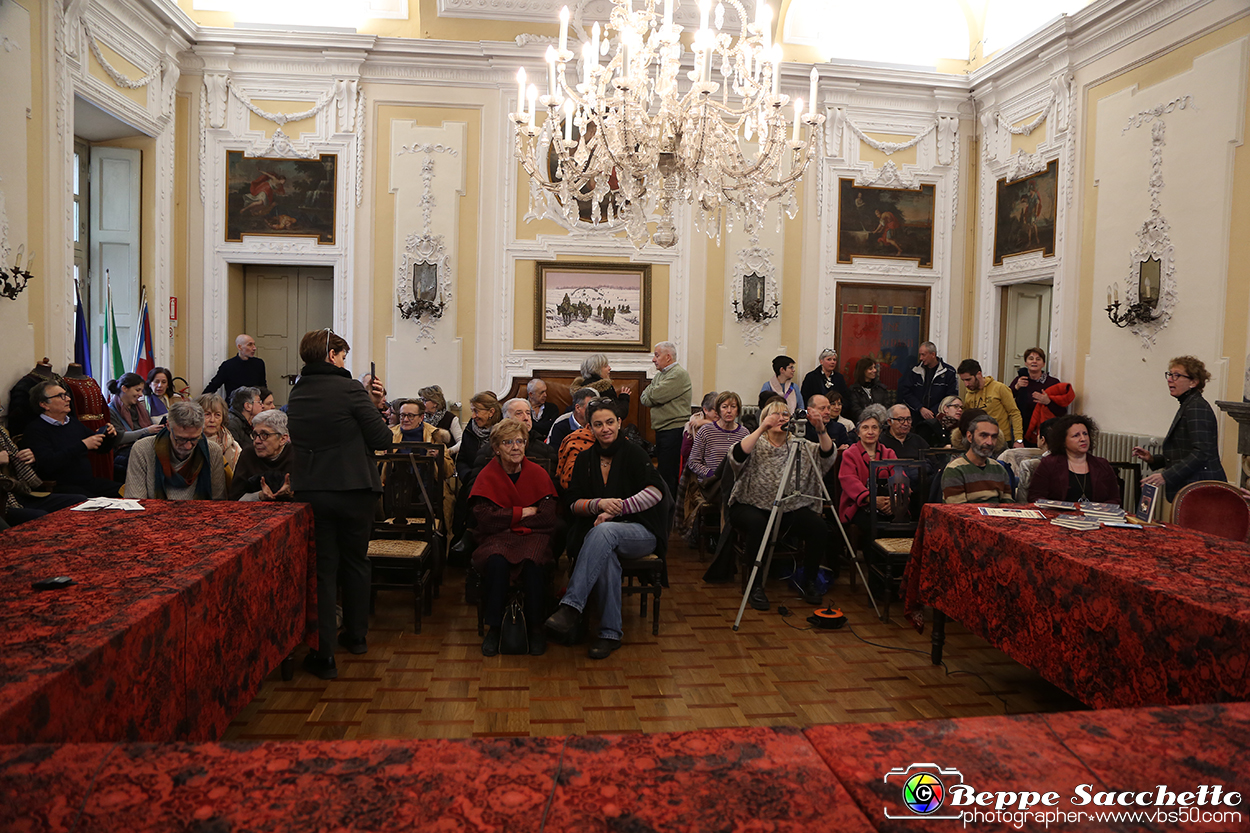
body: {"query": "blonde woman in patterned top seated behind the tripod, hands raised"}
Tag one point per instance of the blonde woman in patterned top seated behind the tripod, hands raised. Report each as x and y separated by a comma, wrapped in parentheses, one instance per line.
(759, 463)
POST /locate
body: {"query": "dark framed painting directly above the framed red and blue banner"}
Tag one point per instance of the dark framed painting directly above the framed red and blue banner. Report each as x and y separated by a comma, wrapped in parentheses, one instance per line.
(886, 223)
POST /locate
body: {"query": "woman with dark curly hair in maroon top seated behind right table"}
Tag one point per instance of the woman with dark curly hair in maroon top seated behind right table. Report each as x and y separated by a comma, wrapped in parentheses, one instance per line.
(1072, 472)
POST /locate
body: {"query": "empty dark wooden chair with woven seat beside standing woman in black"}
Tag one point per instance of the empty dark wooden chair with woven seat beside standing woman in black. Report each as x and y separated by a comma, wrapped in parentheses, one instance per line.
(406, 542)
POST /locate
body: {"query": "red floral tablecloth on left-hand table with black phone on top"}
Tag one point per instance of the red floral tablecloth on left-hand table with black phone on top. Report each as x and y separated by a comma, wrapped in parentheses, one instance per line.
(179, 613)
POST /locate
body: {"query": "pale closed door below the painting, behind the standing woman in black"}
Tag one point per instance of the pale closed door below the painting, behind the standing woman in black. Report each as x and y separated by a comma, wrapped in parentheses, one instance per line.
(281, 306)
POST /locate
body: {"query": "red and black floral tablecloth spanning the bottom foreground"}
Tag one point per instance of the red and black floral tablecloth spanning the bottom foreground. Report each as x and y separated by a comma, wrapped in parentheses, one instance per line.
(832, 777)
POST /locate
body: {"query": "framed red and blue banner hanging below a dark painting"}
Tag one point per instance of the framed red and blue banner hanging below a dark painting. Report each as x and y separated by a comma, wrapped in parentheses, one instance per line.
(884, 322)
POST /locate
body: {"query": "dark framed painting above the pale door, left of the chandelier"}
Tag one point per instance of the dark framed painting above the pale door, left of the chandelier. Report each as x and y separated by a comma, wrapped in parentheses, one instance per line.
(291, 198)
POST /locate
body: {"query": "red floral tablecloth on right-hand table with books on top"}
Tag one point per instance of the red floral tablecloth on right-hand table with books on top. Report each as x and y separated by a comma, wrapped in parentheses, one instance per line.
(1114, 617)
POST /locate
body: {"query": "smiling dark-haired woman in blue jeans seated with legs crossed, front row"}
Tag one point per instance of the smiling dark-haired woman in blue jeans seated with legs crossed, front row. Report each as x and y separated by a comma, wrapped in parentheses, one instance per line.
(617, 498)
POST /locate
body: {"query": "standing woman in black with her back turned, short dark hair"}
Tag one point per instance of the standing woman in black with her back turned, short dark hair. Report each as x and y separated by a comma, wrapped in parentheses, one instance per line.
(336, 428)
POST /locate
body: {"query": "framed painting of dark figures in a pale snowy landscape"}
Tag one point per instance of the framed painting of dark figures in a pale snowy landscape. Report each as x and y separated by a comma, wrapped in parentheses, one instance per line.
(593, 307)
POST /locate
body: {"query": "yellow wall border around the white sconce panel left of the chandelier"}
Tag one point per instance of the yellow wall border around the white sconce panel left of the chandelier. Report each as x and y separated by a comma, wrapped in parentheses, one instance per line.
(466, 258)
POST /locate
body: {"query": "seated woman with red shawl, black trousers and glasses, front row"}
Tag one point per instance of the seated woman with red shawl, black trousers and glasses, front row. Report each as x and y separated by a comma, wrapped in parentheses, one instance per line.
(516, 508)
